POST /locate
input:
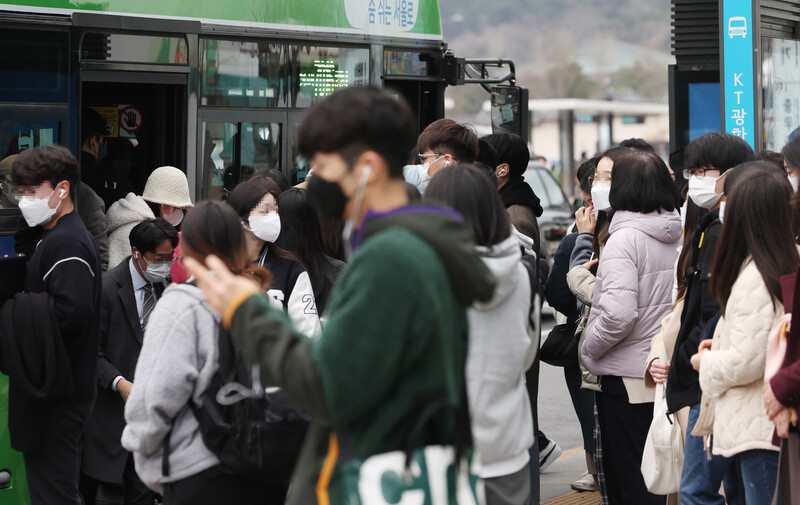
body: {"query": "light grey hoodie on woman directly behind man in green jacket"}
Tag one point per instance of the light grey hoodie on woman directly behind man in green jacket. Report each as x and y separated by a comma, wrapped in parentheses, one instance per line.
(502, 346)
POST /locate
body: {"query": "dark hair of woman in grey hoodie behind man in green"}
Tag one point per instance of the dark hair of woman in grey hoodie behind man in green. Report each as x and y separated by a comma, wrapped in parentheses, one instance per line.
(470, 191)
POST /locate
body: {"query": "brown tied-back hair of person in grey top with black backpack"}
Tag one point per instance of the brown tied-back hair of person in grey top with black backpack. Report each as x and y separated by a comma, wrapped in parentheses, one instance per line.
(214, 228)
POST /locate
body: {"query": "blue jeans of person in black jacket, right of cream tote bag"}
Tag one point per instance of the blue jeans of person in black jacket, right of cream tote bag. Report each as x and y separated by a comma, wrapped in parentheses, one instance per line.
(701, 477)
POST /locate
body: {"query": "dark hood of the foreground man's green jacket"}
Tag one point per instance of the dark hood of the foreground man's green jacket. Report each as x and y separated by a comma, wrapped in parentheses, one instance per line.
(444, 230)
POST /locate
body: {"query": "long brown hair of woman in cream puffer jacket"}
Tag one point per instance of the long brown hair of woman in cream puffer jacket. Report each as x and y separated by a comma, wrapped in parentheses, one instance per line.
(758, 222)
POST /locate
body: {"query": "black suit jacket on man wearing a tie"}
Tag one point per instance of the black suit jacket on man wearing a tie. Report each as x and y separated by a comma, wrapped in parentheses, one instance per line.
(120, 343)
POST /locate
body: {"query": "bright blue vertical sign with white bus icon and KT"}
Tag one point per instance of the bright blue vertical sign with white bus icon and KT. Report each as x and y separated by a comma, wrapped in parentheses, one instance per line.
(738, 78)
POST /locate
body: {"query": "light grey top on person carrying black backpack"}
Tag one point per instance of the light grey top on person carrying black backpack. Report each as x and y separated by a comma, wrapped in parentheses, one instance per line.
(177, 362)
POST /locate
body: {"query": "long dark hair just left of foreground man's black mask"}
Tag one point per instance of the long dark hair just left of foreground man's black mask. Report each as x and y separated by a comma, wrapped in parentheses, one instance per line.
(300, 230)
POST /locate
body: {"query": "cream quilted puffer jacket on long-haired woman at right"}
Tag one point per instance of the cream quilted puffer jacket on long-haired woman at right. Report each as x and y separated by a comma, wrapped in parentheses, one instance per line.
(732, 372)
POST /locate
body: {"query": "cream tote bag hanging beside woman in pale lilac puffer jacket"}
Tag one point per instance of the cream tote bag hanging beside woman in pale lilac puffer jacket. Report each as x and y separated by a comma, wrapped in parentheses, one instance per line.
(662, 459)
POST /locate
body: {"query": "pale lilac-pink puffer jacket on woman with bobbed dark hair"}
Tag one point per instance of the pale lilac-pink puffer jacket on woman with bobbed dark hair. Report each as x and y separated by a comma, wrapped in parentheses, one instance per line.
(633, 292)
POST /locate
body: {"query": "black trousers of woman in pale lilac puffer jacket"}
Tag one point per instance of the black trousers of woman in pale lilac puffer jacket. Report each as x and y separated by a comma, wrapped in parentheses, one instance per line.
(624, 428)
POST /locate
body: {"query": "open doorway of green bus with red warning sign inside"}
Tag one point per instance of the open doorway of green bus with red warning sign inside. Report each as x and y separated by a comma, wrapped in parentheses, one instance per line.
(134, 74)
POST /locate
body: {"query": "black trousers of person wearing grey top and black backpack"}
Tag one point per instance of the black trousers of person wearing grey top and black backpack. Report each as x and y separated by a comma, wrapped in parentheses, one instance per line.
(213, 487)
